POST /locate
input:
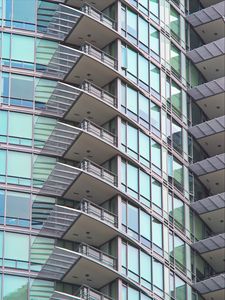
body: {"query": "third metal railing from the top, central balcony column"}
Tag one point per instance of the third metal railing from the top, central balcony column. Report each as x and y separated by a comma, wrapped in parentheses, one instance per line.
(99, 92)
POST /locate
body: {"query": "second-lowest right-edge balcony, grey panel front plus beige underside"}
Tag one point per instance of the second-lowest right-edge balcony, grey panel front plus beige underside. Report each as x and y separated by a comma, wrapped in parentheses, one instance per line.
(213, 251)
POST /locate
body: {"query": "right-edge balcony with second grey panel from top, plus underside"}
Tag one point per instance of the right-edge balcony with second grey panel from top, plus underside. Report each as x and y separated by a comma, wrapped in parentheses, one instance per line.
(210, 59)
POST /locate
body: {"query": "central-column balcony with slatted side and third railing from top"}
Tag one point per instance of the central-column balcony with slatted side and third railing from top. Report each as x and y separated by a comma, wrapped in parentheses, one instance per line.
(77, 103)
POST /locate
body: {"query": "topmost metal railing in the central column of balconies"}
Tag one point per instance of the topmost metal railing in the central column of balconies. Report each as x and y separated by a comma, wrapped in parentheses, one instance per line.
(98, 15)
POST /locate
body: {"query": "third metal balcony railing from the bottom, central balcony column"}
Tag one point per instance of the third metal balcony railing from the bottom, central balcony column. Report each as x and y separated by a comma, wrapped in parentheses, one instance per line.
(98, 211)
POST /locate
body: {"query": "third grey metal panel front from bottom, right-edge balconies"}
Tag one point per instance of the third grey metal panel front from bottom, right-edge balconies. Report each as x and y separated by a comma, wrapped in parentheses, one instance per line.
(209, 204)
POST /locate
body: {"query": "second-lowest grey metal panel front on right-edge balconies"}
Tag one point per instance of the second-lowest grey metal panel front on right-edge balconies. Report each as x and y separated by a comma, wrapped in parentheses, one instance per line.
(210, 244)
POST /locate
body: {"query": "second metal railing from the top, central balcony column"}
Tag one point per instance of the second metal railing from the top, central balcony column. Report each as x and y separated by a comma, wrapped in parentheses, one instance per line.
(99, 54)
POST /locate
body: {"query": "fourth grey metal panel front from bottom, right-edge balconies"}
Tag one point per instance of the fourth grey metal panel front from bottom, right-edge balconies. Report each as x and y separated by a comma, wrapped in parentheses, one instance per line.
(209, 165)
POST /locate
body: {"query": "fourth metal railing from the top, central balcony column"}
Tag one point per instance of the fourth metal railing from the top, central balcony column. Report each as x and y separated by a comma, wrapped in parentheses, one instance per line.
(99, 131)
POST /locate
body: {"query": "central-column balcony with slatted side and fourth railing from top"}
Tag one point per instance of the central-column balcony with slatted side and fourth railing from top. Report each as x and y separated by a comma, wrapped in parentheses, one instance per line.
(75, 143)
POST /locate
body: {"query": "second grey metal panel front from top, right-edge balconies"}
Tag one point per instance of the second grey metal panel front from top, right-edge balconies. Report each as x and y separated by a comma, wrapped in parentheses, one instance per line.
(208, 51)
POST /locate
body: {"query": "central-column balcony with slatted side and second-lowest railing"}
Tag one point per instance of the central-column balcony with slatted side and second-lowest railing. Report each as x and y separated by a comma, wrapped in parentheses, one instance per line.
(80, 266)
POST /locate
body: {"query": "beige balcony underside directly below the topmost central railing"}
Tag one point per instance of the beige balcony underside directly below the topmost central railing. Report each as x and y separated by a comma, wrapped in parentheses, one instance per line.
(87, 30)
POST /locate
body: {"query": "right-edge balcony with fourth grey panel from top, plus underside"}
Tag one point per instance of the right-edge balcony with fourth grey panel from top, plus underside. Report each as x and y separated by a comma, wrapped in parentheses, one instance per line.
(211, 135)
